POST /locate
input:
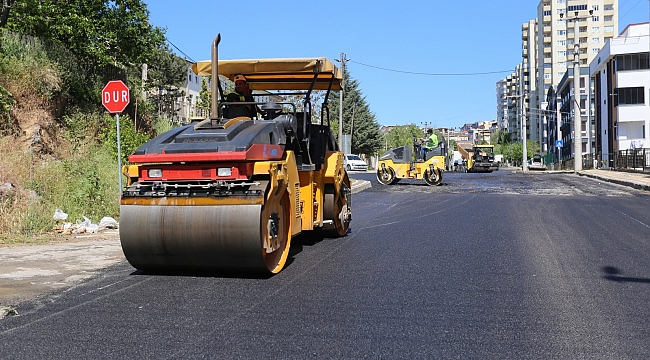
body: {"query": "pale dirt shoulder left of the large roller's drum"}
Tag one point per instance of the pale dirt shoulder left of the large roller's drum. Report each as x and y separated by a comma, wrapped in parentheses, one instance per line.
(28, 271)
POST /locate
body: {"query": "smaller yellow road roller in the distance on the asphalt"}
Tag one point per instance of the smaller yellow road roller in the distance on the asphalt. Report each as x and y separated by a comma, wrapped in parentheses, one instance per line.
(403, 163)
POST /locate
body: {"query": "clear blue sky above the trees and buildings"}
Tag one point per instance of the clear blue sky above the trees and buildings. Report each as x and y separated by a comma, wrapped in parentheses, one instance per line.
(433, 62)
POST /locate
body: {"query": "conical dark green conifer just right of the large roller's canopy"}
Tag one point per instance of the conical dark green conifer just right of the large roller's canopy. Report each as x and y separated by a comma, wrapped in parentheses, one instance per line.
(358, 120)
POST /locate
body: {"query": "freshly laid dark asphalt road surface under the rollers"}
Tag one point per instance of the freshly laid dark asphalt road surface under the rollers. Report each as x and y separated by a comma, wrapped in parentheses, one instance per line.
(499, 265)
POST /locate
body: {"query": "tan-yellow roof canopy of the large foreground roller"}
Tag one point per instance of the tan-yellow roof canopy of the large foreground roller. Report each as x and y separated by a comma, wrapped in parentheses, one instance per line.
(278, 74)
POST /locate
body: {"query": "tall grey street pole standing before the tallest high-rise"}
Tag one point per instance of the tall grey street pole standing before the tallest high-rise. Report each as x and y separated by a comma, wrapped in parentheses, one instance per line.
(577, 113)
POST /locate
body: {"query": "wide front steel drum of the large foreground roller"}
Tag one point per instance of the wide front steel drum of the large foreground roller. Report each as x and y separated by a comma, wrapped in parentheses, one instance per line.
(198, 237)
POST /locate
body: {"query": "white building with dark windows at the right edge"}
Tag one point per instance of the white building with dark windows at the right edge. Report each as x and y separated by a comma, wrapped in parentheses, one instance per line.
(621, 75)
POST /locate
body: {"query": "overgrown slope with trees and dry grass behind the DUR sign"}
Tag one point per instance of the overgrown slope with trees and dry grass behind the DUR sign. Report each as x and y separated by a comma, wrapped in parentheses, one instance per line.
(58, 144)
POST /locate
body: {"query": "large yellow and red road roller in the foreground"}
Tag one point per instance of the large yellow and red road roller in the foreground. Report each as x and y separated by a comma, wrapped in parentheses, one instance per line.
(229, 192)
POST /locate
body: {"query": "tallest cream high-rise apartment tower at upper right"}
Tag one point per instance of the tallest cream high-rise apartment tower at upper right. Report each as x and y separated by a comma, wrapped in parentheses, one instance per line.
(555, 39)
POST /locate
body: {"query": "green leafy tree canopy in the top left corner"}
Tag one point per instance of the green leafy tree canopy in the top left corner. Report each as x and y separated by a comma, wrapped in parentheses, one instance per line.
(101, 31)
